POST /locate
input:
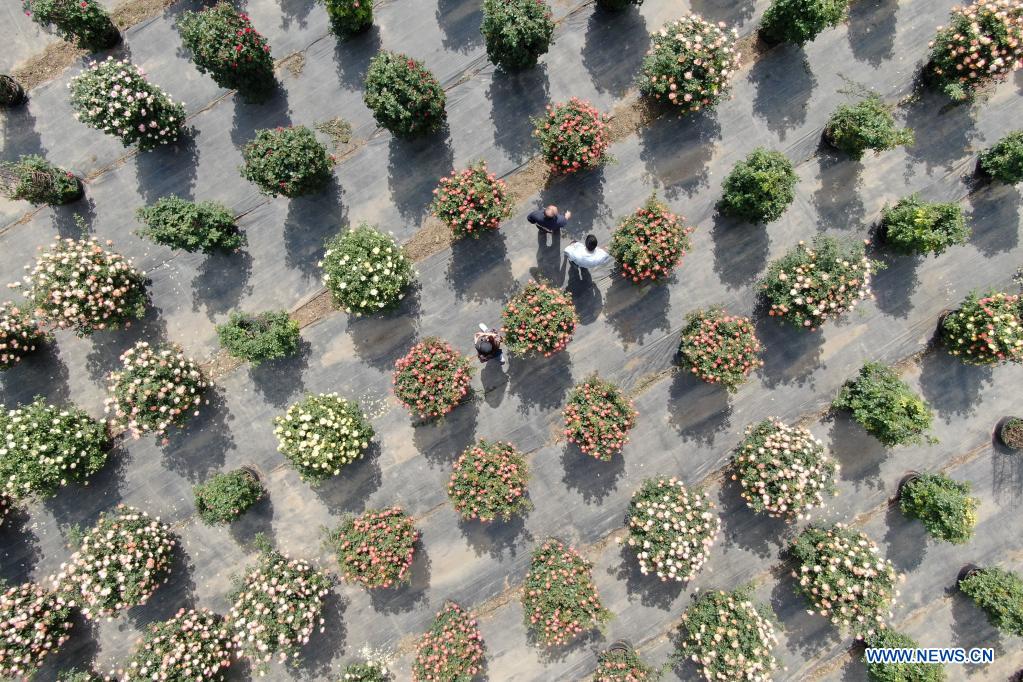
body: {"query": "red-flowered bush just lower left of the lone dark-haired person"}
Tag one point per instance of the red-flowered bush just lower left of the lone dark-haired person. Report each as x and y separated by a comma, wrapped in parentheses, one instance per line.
(432, 379)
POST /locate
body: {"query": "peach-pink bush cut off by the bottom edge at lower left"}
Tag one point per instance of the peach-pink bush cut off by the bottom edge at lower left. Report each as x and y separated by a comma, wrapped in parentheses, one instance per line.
(192, 646)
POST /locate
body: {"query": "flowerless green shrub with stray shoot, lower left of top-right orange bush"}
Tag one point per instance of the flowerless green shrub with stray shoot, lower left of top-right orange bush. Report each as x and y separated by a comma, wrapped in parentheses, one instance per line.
(867, 125)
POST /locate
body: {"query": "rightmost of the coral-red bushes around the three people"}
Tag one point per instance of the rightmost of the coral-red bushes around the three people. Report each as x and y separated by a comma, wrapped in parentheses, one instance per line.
(720, 348)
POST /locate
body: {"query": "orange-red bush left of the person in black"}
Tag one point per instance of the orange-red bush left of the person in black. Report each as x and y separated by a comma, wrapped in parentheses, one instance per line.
(472, 202)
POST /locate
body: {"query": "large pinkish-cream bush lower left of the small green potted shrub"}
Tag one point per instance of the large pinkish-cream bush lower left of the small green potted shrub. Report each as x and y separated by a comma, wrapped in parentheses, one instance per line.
(120, 564)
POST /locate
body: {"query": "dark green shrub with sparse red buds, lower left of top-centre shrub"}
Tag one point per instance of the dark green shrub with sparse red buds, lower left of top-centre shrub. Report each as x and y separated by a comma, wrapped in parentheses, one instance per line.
(404, 96)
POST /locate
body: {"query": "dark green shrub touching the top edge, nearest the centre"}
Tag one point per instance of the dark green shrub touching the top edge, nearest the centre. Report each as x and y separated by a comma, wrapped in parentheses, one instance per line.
(517, 33)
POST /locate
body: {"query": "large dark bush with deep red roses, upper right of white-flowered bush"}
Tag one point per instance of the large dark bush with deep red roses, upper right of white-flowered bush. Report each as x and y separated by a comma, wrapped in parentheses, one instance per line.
(226, 46)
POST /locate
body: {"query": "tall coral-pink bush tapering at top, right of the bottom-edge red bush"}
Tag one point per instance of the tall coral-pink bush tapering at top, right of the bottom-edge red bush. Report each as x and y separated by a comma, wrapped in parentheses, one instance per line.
(559, 599)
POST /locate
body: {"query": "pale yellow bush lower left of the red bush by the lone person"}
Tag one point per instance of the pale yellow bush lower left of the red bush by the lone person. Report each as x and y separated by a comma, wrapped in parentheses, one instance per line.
(323, 434)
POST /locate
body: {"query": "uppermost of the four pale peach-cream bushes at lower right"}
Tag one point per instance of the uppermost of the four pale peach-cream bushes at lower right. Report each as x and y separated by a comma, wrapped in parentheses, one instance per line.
(785, 472)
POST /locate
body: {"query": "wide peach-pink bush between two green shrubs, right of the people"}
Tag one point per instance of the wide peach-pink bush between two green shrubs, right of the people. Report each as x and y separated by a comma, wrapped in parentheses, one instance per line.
(820, 282)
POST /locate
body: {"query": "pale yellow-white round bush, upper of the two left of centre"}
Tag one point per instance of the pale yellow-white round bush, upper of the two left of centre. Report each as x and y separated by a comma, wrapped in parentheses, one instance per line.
(367, 270)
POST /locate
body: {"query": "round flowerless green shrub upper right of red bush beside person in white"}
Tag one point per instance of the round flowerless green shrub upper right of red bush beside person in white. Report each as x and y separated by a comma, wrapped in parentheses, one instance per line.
(760, 189)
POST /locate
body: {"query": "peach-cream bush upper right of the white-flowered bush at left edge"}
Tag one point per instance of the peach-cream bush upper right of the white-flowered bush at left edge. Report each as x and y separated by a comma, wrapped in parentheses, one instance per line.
(155, 389)
